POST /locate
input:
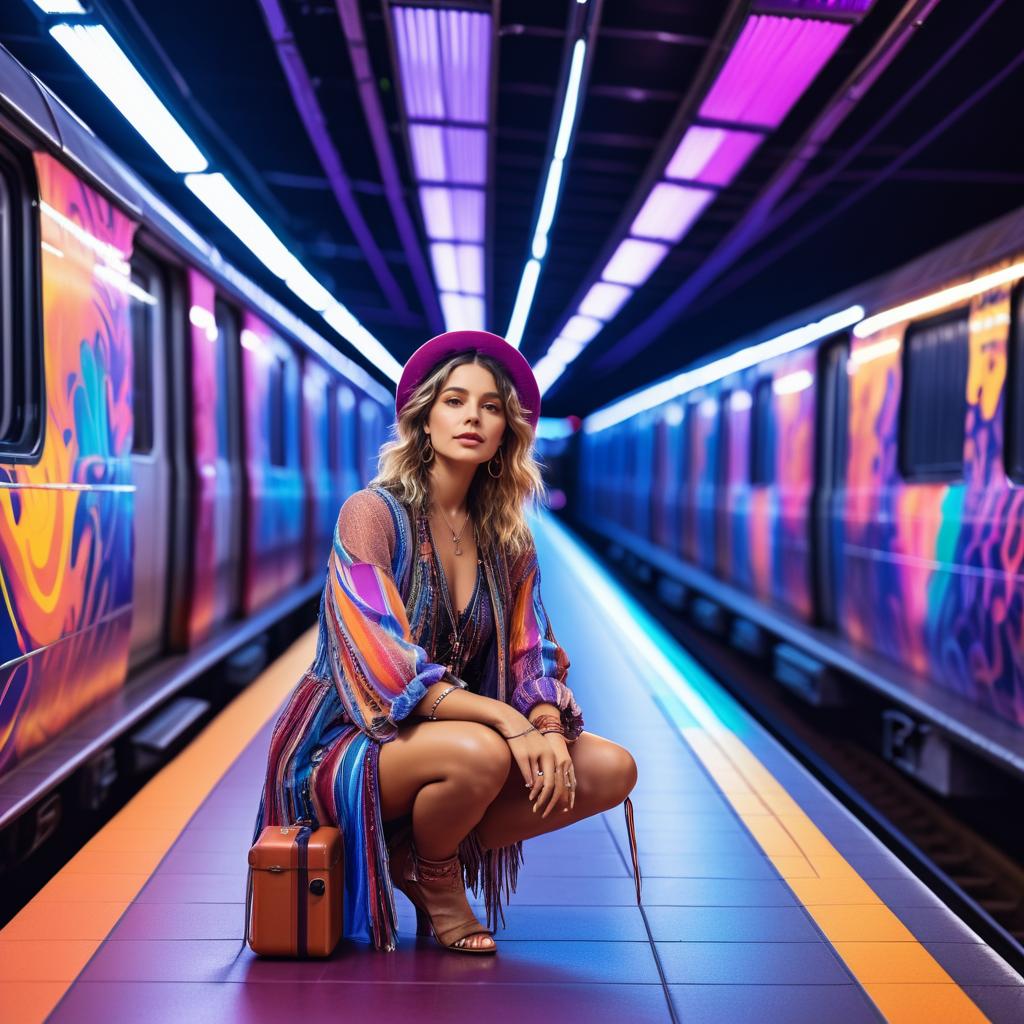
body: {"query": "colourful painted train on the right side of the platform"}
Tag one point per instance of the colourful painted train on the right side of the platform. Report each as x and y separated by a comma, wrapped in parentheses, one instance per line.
(857, 494)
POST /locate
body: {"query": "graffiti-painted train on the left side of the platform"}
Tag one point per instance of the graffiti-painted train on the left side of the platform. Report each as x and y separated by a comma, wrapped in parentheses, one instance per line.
(175, 449)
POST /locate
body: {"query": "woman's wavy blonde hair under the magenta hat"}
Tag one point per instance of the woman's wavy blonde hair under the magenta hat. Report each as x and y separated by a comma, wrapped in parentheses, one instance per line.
(497, 506)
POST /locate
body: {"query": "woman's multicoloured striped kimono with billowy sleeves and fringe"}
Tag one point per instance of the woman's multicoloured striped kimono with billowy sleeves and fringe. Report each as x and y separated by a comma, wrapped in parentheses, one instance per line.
(371, 671)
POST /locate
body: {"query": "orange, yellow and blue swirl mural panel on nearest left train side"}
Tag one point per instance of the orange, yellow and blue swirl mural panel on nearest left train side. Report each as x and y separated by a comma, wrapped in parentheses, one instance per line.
(66, 521)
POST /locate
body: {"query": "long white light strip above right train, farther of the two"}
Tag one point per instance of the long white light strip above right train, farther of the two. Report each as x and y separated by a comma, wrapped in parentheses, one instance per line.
(711, 372)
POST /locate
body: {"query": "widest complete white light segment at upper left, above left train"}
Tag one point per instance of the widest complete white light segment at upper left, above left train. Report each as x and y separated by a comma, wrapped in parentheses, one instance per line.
(94, 50)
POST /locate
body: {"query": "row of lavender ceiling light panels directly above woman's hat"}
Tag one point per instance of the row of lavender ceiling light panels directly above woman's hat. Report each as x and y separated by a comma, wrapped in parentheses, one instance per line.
(444, 59)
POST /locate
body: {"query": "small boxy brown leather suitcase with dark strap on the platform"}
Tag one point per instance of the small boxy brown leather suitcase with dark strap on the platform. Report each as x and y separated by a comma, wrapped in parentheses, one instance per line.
(298, 884)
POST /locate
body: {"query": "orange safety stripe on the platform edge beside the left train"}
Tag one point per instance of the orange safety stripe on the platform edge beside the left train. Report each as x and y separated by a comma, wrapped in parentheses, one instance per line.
(45, 949)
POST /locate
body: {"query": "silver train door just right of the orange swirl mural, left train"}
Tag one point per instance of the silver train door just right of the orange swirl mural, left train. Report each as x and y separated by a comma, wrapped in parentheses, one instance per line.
(151, 457)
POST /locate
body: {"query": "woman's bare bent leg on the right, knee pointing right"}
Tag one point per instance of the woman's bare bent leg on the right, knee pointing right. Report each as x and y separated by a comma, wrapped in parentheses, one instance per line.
(606, 775)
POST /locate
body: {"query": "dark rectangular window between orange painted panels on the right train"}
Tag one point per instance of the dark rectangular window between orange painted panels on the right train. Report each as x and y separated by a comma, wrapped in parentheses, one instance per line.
(934, 405)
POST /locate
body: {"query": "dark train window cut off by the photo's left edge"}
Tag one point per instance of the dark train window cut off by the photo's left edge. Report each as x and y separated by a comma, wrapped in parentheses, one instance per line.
(21, 344)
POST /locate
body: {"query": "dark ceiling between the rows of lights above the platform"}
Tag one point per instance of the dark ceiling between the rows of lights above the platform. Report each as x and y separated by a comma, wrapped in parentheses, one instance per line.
(931, 151)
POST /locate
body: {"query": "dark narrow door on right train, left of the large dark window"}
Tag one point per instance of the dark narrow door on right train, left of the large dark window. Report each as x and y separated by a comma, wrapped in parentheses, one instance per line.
(831, 434)
